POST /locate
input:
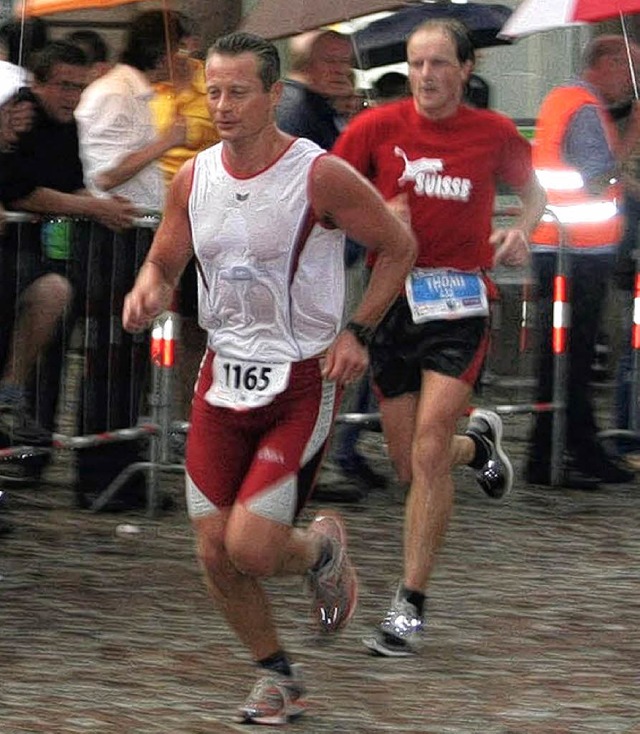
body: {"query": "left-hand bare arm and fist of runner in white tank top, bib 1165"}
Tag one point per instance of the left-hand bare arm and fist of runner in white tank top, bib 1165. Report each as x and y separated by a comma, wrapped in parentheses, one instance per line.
(170, 252)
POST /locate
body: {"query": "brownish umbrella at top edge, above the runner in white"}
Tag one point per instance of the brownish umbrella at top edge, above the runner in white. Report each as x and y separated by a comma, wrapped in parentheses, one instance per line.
(283, 18)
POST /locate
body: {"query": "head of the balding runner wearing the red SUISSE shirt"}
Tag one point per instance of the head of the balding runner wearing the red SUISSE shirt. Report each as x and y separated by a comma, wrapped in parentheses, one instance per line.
(436, 77)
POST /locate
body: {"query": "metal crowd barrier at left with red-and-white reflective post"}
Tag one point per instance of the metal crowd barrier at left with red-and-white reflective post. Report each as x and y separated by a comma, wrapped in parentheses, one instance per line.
(120, 256)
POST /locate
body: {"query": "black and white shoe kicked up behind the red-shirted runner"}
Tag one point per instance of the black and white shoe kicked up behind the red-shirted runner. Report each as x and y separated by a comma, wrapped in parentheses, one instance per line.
(496, 476)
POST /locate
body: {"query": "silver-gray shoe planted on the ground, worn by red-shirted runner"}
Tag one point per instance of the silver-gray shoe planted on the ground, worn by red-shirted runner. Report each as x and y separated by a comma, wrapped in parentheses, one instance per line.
(400, 634)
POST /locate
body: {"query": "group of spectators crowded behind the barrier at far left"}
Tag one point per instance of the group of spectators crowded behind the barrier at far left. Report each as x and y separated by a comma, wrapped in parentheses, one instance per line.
(83, 148)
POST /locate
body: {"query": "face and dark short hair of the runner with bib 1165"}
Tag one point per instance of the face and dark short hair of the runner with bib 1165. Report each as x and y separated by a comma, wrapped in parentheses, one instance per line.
(238, 103)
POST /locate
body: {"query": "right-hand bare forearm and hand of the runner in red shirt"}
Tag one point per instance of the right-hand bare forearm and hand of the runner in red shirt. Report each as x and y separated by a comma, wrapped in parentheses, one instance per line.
(512, 243)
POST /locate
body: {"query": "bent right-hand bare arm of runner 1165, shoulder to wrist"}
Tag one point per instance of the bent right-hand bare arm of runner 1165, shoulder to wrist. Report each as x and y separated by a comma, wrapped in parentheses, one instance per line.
(340, 195)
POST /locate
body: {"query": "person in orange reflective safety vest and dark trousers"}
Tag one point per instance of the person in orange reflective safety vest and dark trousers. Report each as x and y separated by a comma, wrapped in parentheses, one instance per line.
(577, 155)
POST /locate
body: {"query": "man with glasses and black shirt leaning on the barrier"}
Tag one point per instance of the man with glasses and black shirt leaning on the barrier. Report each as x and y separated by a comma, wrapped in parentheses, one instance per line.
(42, 174)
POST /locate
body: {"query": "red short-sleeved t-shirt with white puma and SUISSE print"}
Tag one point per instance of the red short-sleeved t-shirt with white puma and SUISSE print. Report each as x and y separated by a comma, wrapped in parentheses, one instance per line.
(449, 168)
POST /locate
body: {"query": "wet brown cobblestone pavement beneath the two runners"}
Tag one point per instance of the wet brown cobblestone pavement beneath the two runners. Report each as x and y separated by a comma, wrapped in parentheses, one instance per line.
(533, 621)
